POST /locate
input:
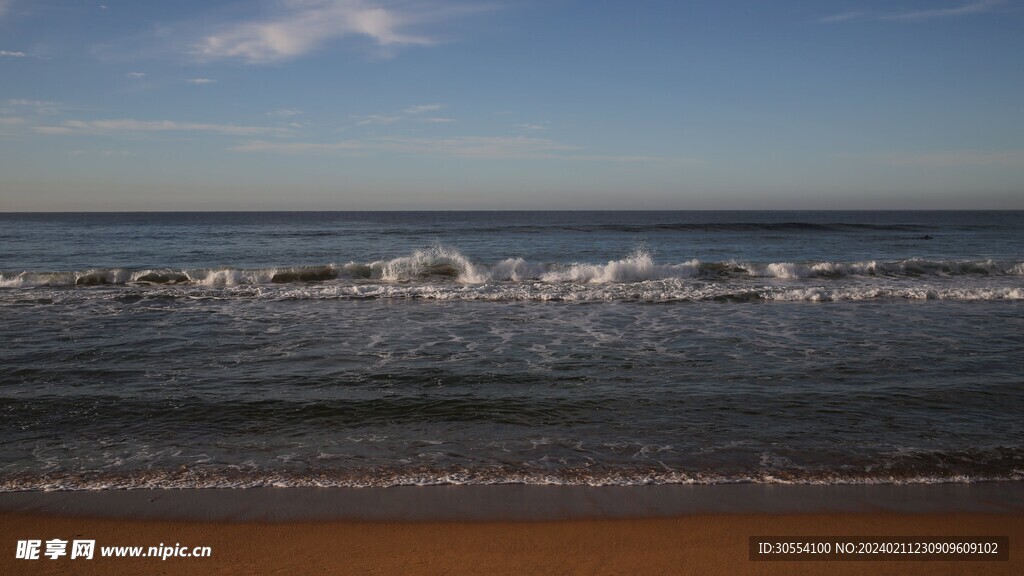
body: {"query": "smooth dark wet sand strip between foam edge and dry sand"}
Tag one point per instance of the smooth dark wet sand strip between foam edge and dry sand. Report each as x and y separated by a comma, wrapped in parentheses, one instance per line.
(516, 503)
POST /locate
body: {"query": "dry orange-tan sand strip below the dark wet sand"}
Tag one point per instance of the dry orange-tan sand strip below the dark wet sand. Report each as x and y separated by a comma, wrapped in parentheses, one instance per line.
(688, 545)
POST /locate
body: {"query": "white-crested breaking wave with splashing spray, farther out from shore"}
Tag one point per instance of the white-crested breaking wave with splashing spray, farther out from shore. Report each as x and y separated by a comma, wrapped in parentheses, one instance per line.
(448, 265)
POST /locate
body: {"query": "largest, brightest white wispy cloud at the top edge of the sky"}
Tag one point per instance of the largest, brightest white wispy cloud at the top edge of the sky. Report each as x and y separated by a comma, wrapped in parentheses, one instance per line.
(300, 27)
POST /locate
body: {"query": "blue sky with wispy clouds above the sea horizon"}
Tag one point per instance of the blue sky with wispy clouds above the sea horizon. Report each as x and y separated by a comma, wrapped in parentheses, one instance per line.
(354, 105)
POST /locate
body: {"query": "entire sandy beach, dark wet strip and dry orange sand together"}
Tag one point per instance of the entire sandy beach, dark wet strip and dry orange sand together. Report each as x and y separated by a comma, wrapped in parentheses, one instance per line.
(700, 543)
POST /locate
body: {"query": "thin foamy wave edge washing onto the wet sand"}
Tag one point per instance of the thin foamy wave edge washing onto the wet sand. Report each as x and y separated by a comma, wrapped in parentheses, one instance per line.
(383, 477)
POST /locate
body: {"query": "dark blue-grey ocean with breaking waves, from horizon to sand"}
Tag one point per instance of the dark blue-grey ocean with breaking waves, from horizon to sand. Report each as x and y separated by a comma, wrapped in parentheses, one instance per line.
(383, 349)
